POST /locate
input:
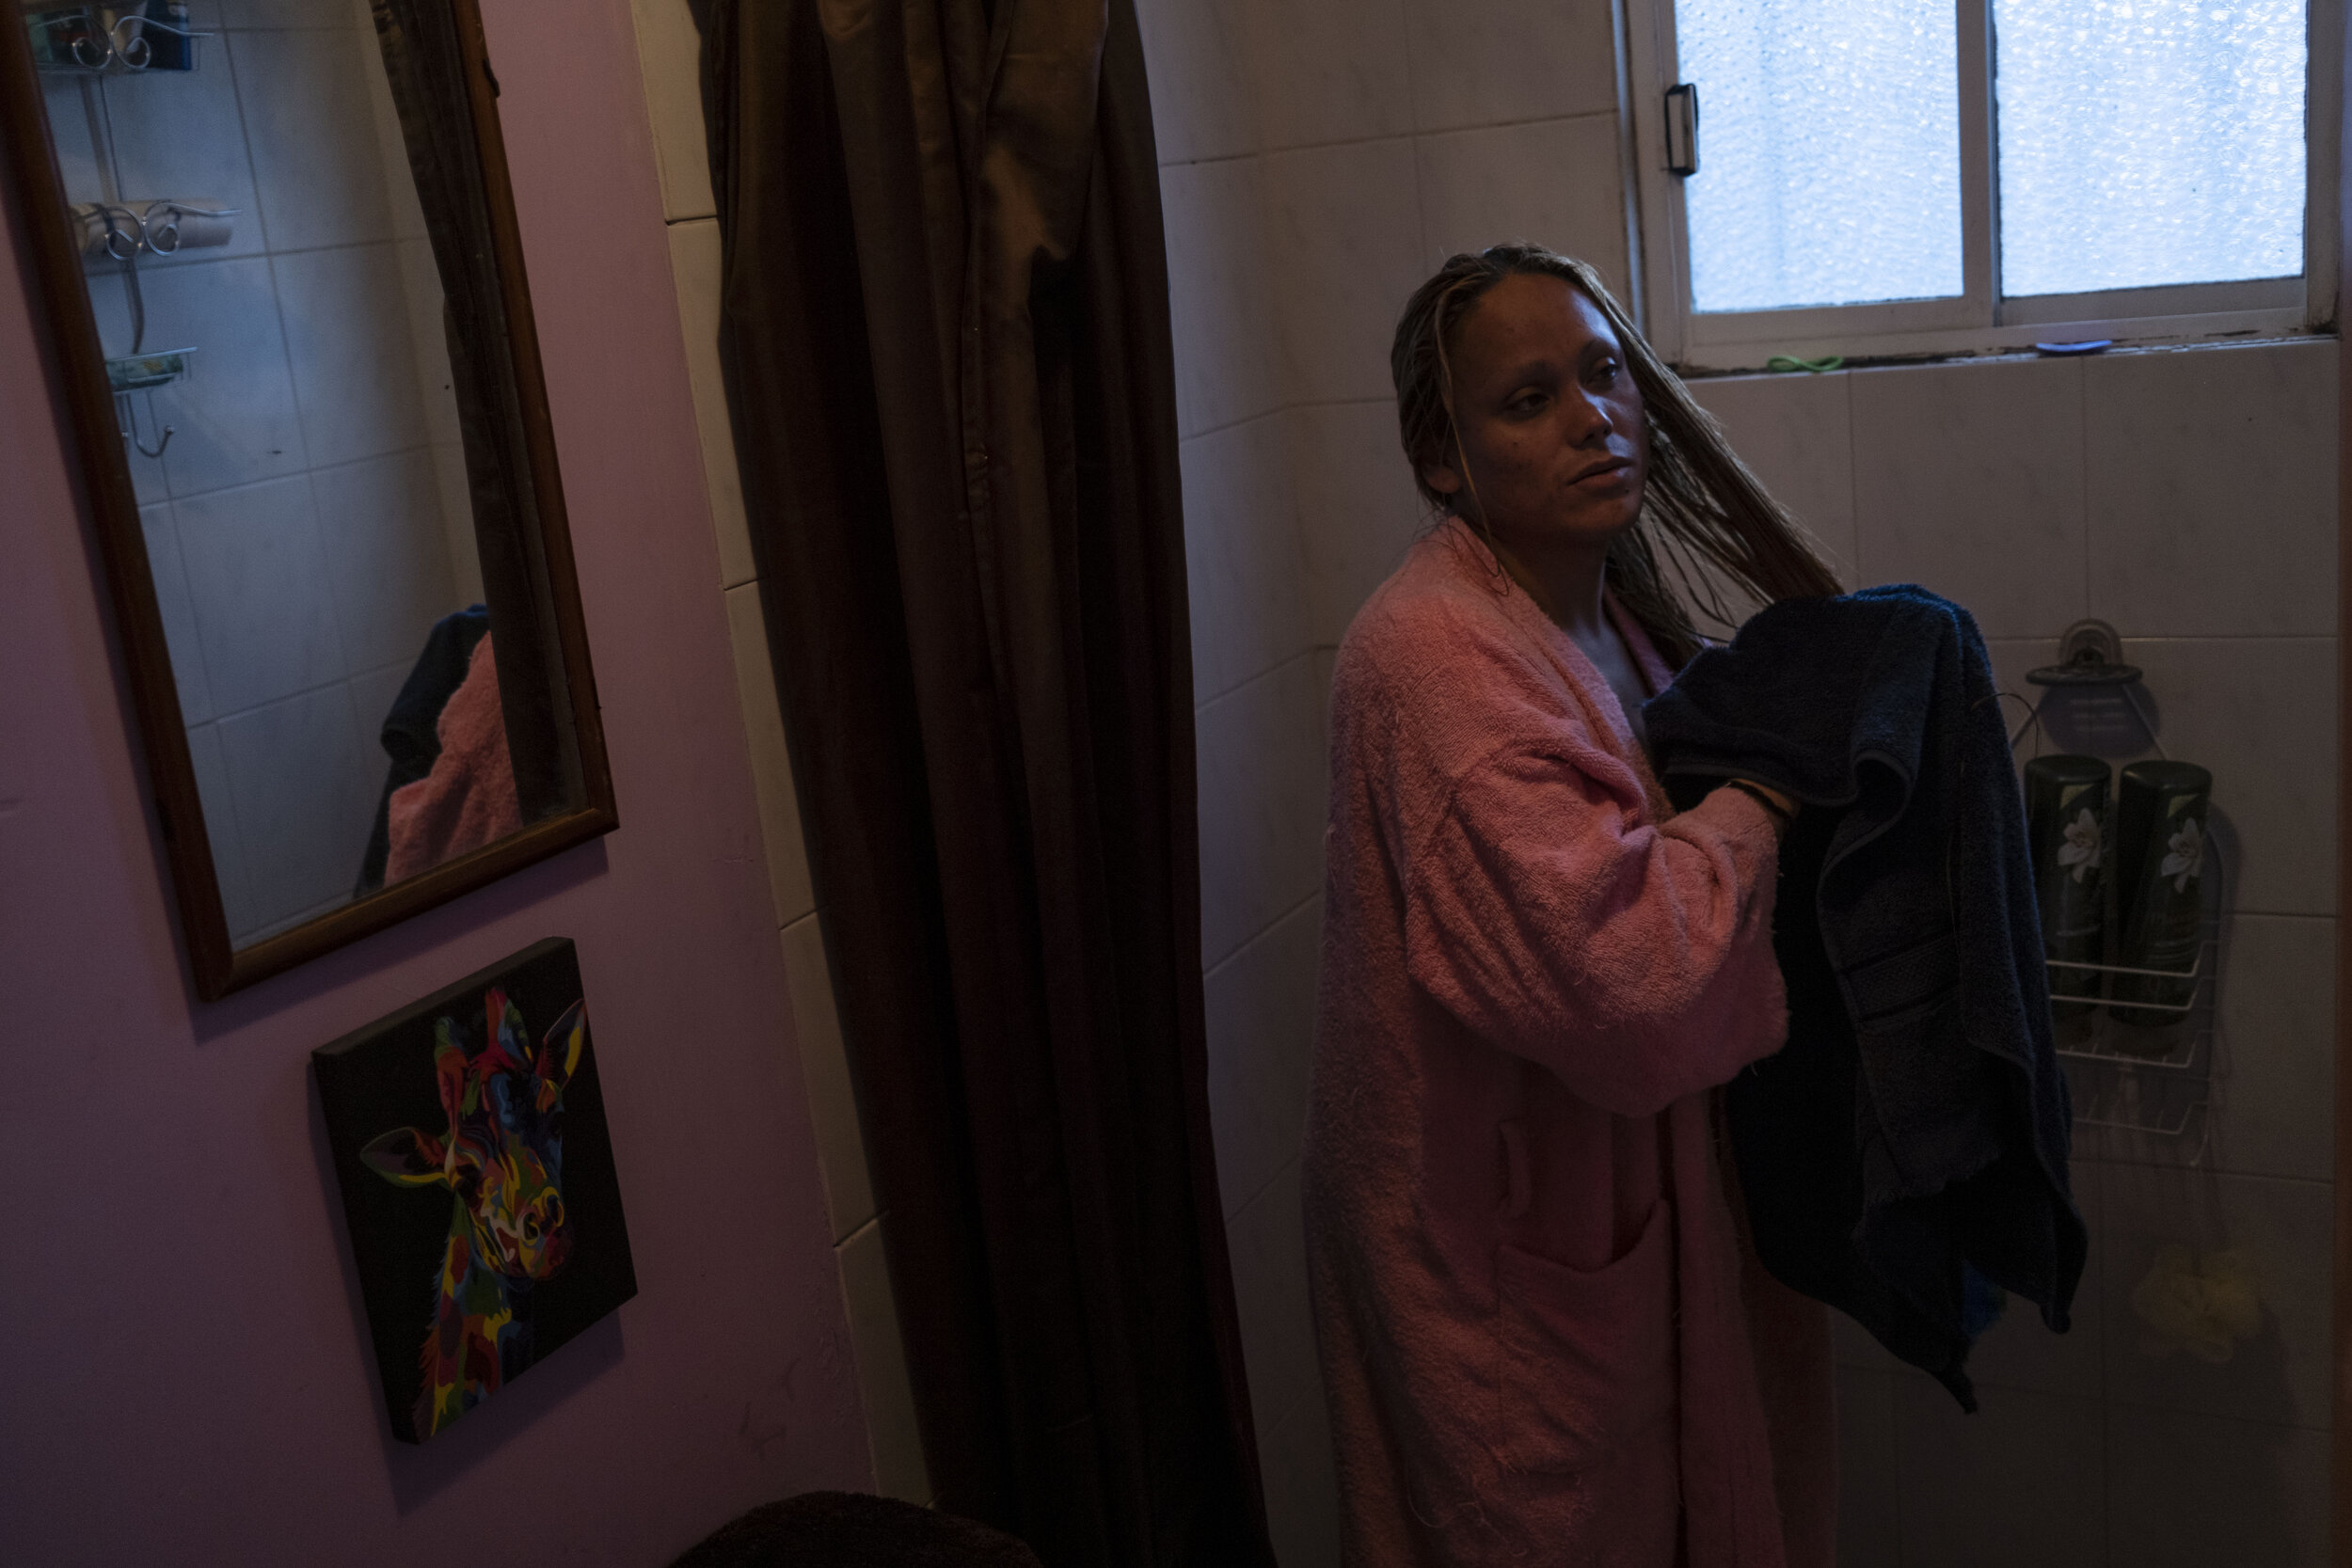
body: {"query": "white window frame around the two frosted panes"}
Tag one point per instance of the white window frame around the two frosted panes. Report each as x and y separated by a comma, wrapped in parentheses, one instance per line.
(1977, 321)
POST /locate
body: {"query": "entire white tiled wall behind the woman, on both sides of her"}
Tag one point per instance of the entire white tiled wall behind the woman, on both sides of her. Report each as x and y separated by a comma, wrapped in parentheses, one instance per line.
(2186, 497)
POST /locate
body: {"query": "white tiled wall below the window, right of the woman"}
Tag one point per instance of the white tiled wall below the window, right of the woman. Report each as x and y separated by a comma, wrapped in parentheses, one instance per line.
(2189, 497)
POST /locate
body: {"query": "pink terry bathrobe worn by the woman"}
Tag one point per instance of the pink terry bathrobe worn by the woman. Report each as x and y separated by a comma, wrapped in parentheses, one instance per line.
(1528, 1278)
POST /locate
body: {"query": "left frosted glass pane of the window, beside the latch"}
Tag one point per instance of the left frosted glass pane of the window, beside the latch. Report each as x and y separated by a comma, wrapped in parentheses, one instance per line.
(1829, 152)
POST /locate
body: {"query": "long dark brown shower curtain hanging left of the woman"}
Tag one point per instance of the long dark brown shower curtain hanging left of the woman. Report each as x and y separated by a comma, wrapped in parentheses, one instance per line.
(951, 375)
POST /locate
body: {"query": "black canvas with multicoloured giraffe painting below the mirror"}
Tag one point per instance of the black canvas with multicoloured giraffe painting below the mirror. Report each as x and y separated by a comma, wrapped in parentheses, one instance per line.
(486, 1214)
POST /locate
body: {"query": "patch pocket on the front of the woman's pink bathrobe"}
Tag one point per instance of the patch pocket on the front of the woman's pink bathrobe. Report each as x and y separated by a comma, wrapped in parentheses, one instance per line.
(1586, 1358)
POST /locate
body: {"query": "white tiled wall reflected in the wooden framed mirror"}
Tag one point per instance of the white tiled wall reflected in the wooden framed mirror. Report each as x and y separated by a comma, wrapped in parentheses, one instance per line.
(307, 523)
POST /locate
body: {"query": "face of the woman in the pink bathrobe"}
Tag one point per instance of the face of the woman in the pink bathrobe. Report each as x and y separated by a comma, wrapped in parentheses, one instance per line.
(1549, 417)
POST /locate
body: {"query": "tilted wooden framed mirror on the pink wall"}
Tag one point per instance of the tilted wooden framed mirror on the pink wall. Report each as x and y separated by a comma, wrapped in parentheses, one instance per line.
(293, 330)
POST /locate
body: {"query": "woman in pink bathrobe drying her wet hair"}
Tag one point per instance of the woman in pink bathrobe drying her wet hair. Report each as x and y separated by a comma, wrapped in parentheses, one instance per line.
(1542, 1334)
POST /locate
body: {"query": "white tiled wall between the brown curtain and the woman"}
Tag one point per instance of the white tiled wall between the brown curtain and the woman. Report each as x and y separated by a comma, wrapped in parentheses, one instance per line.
(1318, 161)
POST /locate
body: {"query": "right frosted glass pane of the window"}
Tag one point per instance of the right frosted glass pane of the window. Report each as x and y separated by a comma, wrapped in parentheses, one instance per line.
(2149, 142)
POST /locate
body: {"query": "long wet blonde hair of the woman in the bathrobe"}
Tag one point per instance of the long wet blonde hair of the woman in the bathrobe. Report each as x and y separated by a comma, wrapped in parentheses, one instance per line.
(1702, 511)
